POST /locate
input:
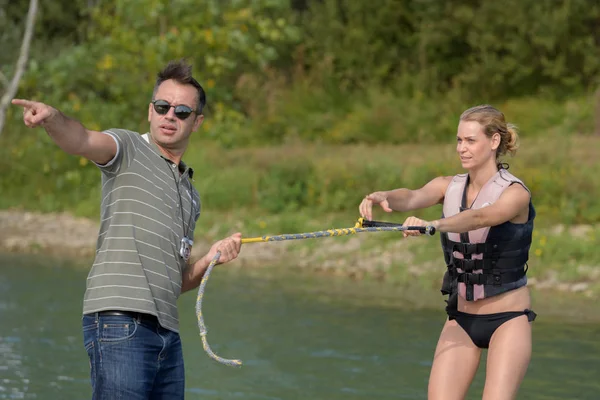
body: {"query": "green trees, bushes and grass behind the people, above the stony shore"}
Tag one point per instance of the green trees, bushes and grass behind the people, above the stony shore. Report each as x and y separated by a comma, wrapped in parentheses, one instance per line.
(306, 73)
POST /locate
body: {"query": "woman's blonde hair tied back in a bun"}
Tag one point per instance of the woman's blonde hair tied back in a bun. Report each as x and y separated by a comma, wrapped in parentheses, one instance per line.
(493, 121)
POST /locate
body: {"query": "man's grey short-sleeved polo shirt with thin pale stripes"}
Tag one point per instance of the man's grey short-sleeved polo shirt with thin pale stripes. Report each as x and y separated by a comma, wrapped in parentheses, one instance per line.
(148, 205)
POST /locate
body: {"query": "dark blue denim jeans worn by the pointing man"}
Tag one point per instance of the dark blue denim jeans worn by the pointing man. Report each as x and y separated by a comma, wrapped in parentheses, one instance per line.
(133, 358)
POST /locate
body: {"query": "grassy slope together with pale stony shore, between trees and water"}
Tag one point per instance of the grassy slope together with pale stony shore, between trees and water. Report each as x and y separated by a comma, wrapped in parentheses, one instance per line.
(293, 188)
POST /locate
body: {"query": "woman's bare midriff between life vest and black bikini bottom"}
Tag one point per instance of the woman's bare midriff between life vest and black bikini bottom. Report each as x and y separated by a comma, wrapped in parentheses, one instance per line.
(514, 300)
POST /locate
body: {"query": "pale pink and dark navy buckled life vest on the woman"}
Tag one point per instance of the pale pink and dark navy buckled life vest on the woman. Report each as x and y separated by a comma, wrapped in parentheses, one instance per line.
(487, 261)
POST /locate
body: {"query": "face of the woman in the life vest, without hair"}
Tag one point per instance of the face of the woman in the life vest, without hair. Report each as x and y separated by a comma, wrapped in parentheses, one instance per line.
(473, 147)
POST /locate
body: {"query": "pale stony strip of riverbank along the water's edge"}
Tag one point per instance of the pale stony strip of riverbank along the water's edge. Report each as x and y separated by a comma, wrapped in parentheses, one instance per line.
(384, 265)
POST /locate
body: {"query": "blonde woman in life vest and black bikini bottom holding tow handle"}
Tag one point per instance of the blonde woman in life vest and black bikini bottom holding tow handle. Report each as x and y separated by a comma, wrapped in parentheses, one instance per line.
(486, 230)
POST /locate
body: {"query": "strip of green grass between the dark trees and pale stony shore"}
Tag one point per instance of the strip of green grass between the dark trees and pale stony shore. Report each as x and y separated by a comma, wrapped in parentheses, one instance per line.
(278, 182)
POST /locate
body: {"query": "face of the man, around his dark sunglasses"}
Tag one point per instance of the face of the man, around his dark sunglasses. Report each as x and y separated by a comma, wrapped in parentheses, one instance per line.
(169, 131)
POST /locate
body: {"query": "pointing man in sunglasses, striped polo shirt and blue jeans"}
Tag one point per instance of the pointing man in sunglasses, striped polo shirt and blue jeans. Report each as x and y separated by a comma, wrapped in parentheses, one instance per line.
(149, 210)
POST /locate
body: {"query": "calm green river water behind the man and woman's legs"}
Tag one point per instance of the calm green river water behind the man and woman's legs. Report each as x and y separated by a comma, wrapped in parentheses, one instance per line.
(299, 338)
